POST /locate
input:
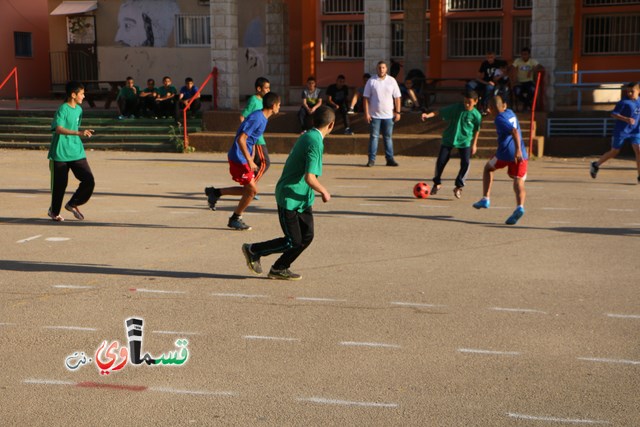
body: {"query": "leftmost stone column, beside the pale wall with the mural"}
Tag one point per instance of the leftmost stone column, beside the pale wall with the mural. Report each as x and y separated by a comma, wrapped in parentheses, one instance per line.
(224, 51)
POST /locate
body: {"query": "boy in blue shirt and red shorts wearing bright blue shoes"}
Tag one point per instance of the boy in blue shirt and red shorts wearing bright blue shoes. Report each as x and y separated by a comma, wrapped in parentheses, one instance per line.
(511, 153)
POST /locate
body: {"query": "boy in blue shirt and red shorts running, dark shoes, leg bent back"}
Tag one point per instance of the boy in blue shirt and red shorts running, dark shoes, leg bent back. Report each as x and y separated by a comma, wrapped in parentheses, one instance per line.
(241, 164)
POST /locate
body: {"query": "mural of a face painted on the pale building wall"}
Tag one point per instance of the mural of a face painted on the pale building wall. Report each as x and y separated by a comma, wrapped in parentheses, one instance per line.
(146, 22)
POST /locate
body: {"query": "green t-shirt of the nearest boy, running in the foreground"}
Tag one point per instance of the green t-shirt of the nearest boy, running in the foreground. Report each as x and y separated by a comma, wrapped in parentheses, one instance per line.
(292, 191)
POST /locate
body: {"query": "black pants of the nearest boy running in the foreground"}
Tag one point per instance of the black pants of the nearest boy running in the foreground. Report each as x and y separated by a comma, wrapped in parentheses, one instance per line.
(298, 234)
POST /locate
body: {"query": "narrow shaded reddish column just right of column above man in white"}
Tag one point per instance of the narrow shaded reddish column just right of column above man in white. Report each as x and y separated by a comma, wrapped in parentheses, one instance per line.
(414, 35)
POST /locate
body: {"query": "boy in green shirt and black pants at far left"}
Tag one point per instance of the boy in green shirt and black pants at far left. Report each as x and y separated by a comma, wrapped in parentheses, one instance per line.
(67, 152)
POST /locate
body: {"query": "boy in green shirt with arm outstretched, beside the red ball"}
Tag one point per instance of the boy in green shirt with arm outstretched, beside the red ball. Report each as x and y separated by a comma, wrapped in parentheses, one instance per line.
(461, 133)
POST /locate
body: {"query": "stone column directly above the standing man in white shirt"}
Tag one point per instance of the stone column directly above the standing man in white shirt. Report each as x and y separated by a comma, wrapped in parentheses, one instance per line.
(377, 34)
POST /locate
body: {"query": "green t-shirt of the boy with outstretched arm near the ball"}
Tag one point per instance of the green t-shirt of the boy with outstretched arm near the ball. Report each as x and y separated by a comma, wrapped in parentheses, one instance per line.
(463, 125)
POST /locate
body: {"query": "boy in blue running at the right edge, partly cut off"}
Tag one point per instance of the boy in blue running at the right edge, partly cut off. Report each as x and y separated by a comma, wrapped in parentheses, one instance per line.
(627, 115)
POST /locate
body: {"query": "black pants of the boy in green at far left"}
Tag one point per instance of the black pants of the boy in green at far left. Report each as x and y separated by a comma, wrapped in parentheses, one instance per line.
(59, 180)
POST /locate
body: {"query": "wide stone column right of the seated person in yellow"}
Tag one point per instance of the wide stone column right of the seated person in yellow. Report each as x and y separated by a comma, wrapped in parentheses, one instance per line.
(551, 23)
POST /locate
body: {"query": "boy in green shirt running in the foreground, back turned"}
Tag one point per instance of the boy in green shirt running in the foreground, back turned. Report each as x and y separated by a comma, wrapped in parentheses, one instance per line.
(295, 194)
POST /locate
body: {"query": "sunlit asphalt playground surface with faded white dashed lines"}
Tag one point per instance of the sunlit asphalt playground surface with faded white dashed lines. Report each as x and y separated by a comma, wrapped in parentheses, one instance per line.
(409, 312)
